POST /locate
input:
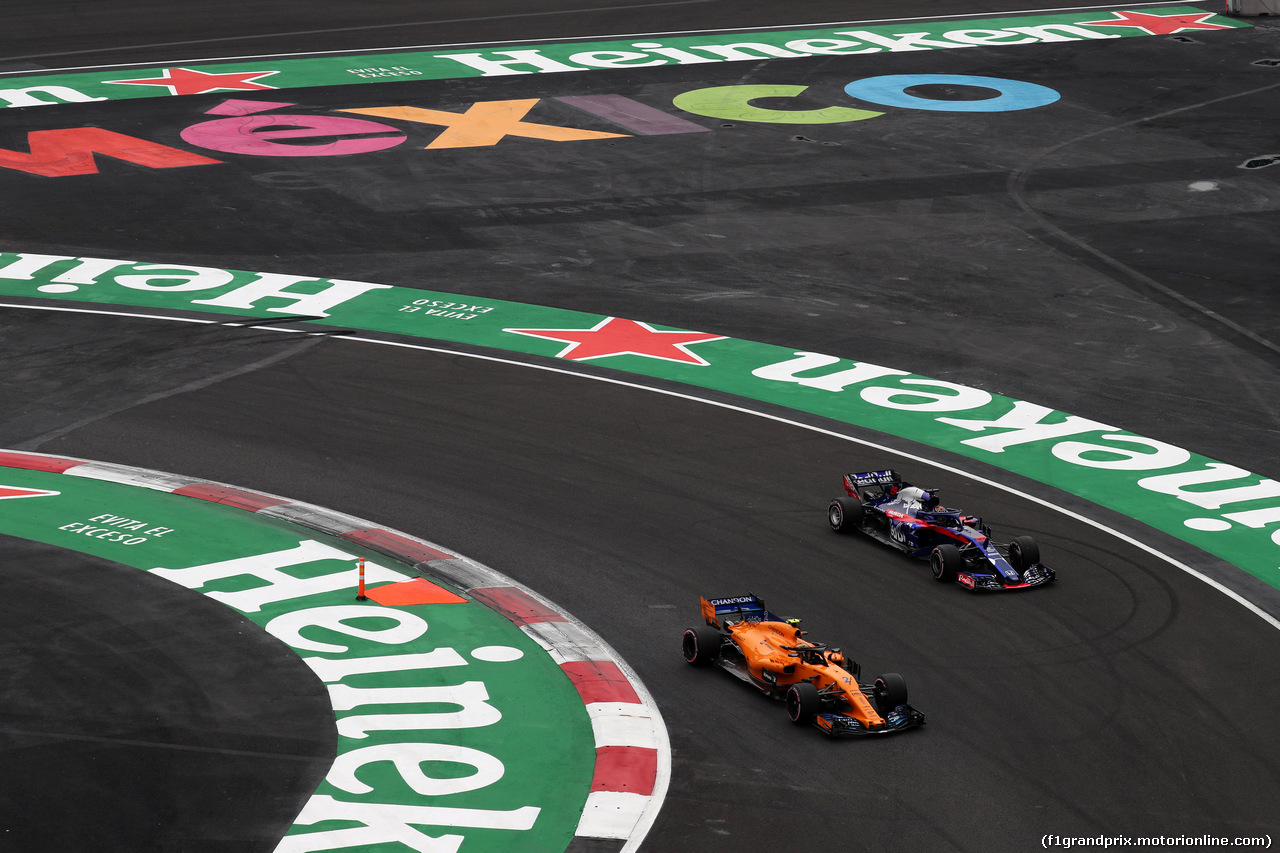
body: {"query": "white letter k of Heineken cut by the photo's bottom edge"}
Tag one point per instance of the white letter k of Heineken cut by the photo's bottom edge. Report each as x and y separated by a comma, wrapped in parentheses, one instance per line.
(387, 824)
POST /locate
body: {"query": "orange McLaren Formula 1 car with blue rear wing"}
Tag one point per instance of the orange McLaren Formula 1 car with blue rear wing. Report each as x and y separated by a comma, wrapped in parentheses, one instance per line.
(819, 685)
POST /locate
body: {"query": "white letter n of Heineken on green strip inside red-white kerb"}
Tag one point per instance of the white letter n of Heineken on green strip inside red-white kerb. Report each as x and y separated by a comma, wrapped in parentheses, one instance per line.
(473, 697)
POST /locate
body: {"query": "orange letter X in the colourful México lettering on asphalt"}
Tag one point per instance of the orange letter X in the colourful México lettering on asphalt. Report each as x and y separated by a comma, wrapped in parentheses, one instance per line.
(484, 124)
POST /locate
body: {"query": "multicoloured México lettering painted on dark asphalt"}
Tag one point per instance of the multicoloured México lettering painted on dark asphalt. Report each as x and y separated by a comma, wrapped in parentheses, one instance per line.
(257, 129)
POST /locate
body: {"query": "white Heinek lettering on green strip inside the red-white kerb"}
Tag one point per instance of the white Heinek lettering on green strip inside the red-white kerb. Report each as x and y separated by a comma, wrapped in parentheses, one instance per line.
(406, 717)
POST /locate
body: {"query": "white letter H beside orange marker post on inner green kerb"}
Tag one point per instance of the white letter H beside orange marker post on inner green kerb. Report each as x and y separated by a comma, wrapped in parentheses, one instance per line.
(280, 586)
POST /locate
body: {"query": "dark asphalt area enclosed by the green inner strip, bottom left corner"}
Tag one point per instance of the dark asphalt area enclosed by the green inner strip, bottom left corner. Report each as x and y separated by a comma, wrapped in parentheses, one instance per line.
(129, 724)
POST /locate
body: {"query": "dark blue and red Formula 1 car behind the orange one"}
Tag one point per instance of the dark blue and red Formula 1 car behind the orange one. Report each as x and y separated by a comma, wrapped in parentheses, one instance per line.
(959, 548)
